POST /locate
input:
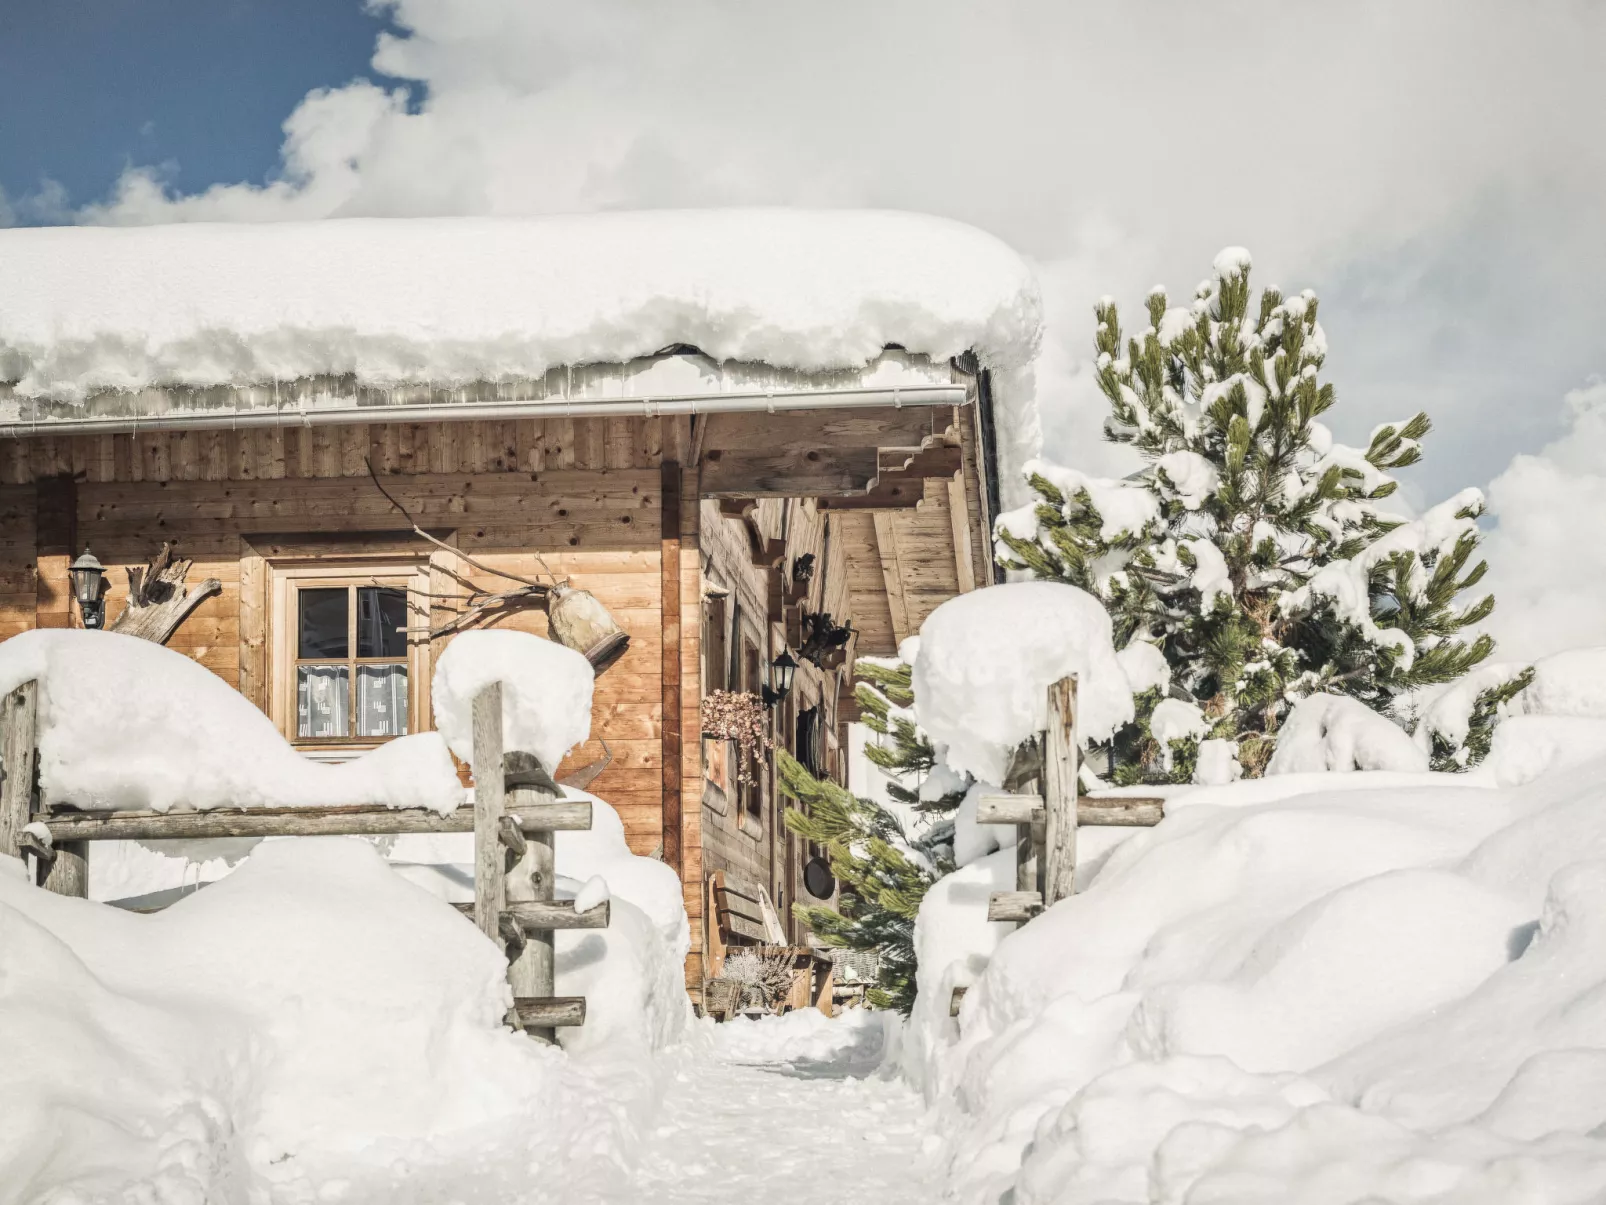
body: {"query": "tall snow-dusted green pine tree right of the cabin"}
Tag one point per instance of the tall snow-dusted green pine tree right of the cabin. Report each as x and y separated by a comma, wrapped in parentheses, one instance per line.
(1252, 552)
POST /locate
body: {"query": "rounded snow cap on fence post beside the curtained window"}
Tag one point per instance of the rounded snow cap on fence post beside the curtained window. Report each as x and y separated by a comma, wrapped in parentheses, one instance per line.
(547, 693)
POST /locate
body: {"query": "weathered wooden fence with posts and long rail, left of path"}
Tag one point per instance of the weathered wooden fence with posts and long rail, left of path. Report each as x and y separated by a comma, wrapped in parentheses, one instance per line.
(513, 819)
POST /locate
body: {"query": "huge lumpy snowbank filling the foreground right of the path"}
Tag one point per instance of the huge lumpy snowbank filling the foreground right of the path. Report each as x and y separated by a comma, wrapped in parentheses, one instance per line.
(1387, 992)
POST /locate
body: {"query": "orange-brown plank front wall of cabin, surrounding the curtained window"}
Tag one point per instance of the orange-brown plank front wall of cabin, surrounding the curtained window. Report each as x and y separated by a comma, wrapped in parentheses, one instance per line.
(585, 497)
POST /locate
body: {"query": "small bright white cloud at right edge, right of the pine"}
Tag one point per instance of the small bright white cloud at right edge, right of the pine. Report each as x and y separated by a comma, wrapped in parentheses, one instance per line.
(1547, 558)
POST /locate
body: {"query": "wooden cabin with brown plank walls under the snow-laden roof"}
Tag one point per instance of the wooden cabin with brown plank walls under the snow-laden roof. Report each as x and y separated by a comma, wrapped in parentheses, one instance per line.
(719, 510)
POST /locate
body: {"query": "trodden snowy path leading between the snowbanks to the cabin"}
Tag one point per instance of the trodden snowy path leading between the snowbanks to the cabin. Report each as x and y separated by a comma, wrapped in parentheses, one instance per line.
(749, 1124)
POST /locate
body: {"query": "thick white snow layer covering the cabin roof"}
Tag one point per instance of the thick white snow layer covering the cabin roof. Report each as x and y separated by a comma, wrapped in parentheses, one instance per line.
(483, 300)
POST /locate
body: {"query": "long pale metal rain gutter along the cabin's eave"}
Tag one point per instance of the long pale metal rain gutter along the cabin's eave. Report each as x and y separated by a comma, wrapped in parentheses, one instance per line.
(463, 412)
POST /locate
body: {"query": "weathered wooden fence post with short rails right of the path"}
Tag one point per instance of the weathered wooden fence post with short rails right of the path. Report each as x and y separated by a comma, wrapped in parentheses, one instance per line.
(1048, 819)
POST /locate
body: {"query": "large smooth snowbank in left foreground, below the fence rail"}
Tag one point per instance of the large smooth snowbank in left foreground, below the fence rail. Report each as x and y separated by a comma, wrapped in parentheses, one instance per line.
(311, 1019)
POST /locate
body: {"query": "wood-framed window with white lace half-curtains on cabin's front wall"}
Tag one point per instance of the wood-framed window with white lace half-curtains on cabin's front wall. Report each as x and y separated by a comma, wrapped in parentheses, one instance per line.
(346, 672)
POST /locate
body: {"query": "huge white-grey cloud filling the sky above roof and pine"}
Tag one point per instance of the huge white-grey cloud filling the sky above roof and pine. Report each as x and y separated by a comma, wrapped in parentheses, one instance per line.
(1433, 170)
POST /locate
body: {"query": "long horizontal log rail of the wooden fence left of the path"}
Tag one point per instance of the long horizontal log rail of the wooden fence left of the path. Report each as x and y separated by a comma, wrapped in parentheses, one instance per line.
(344, 822)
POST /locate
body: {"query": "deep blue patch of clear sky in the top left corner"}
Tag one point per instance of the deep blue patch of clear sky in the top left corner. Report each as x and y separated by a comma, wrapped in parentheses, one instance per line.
(89, 88)
